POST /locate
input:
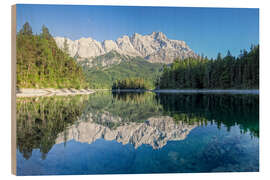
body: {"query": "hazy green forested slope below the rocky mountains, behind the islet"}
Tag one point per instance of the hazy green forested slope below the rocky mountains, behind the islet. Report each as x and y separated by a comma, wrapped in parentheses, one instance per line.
(124, 68)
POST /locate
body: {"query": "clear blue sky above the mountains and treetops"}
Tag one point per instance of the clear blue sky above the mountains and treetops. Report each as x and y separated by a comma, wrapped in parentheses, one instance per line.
(205, 30)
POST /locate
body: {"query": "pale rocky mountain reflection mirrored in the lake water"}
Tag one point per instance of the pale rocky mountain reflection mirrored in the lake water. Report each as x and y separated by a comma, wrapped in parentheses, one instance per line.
(155, 131)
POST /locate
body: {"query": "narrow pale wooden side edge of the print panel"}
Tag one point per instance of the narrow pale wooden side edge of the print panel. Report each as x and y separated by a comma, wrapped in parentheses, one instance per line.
(13, 89)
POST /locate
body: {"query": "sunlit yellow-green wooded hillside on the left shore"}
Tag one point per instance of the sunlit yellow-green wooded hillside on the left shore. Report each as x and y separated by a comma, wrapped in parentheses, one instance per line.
(41, 64)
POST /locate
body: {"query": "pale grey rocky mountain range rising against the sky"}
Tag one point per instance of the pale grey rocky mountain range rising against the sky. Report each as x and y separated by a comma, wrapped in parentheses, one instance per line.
(154, 47)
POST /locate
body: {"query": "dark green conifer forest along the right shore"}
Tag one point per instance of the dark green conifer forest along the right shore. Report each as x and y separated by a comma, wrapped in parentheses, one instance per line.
(229, 72)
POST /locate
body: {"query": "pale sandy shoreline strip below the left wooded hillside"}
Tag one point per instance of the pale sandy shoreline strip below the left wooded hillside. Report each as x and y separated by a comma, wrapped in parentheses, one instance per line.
(29, 92)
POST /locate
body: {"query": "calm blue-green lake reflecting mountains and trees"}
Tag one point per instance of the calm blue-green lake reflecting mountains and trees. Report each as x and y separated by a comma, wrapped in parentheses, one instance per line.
(114, 133)
